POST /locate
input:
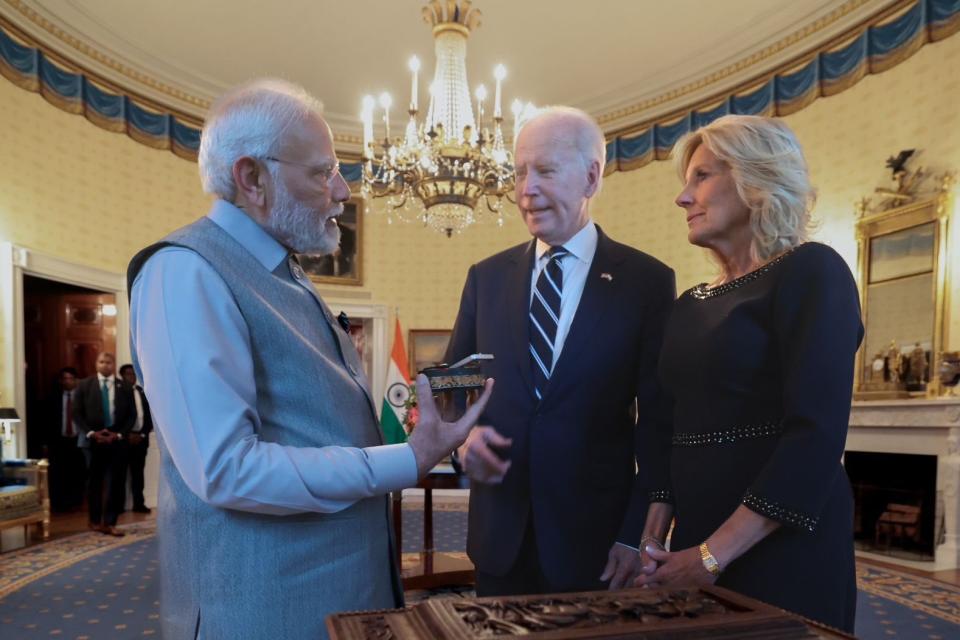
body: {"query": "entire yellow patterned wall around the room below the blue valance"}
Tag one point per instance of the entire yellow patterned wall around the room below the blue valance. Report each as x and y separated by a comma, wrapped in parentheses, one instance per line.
(80, 193)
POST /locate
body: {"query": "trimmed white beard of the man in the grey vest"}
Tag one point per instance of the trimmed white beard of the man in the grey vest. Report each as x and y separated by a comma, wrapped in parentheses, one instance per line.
(299, 227)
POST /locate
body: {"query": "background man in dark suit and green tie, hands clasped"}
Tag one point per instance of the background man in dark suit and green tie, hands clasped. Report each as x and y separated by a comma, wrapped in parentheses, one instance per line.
(104, 411)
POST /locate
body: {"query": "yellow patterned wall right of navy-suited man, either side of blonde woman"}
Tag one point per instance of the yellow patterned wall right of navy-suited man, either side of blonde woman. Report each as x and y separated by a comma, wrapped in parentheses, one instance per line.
(847, 138)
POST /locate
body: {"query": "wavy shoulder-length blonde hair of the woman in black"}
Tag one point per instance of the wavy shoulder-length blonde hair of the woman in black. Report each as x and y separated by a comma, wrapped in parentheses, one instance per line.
(770, 173)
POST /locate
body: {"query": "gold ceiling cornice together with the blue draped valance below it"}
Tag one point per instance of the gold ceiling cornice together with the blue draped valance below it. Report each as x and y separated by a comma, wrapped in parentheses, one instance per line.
(858, 38)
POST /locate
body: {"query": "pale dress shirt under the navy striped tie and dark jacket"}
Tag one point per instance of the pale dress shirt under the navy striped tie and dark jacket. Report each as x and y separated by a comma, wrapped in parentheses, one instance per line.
(582, 247)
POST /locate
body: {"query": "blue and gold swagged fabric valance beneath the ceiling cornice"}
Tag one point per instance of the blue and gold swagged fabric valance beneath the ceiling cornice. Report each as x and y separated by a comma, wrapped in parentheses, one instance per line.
(877, 44)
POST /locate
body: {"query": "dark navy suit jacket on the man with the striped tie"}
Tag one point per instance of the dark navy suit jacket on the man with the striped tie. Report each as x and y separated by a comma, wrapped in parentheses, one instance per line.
(574, 452)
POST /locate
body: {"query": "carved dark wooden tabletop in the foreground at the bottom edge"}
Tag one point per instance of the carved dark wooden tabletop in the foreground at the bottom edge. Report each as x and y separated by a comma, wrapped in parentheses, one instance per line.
(653, 614)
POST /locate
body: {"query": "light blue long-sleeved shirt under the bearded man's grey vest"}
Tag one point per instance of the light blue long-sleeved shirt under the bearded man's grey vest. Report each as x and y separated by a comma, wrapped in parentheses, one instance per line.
(194, 349)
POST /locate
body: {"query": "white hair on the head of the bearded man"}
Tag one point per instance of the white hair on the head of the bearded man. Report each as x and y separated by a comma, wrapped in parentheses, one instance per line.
(250, 120)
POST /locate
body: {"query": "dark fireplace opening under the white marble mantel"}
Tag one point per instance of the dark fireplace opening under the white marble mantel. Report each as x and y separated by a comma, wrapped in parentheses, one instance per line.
(895, 503)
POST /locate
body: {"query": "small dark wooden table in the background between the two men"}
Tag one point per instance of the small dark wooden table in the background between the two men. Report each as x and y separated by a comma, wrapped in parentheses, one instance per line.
(434, 569)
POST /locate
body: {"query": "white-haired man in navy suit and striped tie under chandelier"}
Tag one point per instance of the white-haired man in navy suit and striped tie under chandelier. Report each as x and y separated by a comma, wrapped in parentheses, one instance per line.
(575, 320)
